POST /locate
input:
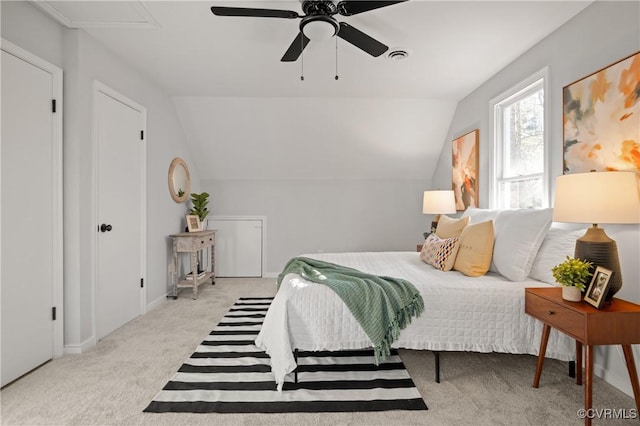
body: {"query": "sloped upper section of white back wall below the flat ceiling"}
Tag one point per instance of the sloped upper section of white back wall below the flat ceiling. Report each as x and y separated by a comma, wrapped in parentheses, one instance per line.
(314, 138)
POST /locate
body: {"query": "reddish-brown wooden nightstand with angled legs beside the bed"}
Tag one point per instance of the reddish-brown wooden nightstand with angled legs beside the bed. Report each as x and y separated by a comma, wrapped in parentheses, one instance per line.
(616, 323)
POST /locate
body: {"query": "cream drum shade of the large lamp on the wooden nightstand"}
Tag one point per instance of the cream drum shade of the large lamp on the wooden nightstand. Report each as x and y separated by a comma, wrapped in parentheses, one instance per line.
(597, 197)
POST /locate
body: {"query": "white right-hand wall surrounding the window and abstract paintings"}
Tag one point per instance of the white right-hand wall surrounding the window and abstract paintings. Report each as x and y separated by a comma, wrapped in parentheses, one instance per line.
(603, 33)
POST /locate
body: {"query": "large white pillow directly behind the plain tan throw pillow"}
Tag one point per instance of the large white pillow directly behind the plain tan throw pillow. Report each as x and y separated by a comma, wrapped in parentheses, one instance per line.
(518, 236)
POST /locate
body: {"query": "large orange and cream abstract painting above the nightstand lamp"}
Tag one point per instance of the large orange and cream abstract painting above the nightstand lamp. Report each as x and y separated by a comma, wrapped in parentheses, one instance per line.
(601, 119)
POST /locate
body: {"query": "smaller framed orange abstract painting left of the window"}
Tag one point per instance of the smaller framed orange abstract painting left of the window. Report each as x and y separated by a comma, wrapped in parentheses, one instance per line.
(465, 170)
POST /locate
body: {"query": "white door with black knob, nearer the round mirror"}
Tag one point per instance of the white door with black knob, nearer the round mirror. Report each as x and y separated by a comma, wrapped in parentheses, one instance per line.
(118, 126)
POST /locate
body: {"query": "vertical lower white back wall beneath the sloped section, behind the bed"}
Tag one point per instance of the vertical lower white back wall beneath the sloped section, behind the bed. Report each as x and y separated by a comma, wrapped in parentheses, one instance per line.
(313, 215)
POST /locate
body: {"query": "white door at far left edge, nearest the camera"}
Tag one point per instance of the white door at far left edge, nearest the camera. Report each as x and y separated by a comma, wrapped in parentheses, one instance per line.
(31, 216)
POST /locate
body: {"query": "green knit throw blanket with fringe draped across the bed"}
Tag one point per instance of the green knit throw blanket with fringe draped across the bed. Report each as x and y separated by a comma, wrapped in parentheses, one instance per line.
(382, 305)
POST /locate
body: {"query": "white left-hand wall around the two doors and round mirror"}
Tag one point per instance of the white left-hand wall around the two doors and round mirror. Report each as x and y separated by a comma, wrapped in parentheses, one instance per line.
(83, 61)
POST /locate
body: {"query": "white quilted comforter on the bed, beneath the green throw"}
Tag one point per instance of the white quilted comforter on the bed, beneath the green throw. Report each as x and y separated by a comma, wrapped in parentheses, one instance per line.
(483, 314)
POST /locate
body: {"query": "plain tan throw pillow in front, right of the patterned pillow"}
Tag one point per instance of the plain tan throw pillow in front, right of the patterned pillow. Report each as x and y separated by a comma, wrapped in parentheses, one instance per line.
(475, 249)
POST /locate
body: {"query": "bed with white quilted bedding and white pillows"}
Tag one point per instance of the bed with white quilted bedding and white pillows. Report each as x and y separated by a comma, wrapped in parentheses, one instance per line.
(462, 313)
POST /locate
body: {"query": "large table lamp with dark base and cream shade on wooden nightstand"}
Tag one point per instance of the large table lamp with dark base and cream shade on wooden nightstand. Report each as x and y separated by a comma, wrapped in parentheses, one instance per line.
(598, 197)
